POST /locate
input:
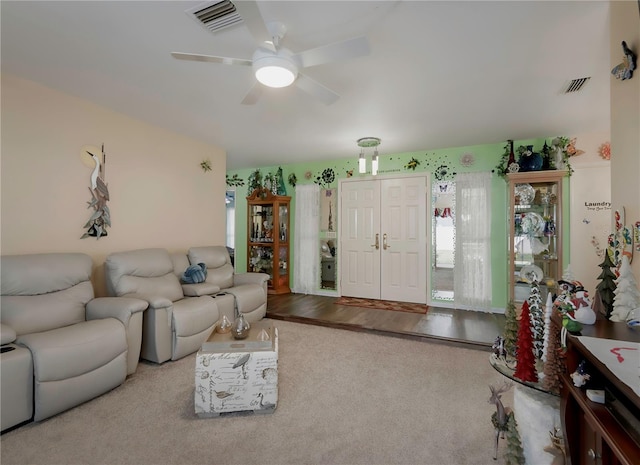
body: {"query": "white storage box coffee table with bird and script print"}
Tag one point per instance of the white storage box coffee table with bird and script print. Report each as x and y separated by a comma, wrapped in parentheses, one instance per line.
(237, 375)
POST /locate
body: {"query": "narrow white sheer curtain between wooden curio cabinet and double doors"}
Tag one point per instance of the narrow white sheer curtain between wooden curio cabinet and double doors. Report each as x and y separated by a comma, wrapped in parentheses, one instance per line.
(306, 241)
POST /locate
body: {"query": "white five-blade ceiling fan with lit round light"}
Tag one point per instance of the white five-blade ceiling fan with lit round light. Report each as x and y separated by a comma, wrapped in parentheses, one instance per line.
(276, 66)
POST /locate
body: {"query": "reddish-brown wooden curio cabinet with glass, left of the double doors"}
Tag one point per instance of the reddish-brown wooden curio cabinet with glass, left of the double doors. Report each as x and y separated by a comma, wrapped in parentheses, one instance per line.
(268, 238)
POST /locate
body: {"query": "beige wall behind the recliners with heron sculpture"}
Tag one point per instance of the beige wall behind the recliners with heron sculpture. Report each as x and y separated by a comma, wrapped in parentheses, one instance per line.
(160, 197)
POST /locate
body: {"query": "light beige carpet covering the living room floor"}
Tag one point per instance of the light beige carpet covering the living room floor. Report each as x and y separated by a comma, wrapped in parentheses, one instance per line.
(344, 398)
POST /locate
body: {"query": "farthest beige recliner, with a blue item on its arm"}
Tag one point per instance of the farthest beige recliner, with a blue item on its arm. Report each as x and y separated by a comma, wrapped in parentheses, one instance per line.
(234, 293)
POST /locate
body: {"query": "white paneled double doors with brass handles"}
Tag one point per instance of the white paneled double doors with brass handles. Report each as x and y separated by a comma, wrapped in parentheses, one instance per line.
(383, 239)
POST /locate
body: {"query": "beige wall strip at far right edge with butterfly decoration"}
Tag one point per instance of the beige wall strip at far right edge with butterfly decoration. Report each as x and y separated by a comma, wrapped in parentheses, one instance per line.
(625, 118)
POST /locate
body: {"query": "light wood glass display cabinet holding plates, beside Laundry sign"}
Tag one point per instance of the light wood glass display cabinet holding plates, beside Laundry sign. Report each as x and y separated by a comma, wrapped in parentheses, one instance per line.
(535, 232)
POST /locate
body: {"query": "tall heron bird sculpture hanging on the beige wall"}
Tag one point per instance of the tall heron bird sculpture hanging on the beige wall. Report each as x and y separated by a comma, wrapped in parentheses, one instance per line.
(100, 219)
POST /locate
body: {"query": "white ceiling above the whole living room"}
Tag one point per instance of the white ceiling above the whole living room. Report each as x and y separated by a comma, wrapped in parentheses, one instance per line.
(440, 74)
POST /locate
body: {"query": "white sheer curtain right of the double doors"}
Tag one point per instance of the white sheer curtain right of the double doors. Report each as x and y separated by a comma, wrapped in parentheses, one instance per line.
(472, 275)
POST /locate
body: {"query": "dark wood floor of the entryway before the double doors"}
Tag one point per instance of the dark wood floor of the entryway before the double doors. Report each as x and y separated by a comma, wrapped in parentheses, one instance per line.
(474, 329)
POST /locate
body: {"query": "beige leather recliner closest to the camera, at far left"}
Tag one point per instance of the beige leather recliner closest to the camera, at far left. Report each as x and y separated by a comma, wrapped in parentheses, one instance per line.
(61, 346)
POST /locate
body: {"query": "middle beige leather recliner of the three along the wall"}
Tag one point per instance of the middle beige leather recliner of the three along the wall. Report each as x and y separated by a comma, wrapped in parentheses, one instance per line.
(174, 325)
